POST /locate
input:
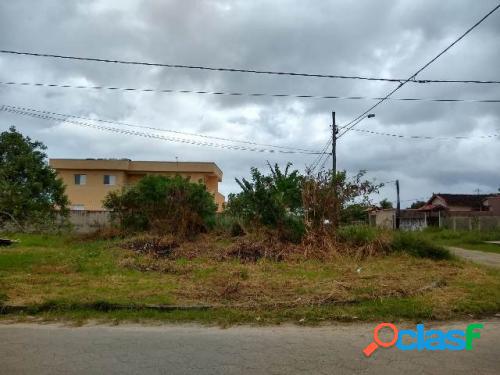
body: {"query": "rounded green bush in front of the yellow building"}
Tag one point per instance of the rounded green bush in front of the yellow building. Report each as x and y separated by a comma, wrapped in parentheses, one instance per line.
(163, 205)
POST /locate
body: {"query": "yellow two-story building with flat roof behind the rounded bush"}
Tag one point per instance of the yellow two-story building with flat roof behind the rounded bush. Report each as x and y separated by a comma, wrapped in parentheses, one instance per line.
(89, 180)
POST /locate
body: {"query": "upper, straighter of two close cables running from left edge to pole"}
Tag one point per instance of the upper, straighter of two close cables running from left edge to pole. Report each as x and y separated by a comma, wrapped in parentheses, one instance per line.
(160, 129)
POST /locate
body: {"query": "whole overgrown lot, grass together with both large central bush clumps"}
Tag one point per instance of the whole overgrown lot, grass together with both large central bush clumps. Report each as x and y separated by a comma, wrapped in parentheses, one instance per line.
(282, 251)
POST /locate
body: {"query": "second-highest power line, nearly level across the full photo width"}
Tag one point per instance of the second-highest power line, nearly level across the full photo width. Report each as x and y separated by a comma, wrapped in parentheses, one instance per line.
(232, 93)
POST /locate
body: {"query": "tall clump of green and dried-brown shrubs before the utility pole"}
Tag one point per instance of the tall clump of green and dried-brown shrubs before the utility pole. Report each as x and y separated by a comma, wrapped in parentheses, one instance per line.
(299, 206)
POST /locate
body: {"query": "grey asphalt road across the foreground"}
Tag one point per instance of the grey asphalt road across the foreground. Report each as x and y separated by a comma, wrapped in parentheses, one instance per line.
(52, 349)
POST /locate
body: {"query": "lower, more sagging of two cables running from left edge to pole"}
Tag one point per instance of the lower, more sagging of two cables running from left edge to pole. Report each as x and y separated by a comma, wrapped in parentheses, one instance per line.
(36, 114)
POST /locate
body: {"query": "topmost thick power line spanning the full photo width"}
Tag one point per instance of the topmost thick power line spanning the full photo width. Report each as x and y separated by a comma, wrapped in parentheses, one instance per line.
(238, 70)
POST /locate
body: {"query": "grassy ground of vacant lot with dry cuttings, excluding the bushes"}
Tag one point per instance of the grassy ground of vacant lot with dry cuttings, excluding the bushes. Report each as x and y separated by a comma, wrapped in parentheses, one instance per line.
(57, 277)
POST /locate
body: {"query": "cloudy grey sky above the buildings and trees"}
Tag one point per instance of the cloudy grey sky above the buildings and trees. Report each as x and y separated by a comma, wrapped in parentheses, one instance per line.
(383, 38)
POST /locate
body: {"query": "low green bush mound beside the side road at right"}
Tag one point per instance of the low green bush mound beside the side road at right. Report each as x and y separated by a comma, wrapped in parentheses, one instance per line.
(417, 245)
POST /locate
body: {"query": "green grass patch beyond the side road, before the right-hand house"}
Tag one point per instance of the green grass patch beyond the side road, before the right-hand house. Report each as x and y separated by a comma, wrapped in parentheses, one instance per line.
(471, 240)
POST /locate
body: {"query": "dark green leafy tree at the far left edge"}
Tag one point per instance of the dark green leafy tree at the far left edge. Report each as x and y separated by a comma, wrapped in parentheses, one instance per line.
(30, 191)
